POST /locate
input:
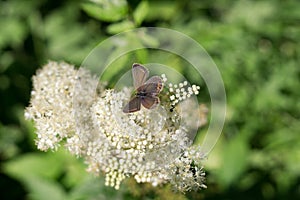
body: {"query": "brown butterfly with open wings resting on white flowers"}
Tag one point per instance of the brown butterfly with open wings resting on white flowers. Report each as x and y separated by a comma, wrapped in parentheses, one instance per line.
(146, 92)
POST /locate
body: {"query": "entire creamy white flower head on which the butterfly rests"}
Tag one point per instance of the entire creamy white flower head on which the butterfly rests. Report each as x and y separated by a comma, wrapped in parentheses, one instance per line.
(148, 145)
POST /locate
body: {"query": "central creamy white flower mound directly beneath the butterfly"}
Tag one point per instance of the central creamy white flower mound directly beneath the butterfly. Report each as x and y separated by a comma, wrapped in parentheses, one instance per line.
(138, 142)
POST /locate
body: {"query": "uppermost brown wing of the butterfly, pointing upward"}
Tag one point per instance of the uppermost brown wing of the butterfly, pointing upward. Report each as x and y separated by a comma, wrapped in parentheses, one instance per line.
(139, 75)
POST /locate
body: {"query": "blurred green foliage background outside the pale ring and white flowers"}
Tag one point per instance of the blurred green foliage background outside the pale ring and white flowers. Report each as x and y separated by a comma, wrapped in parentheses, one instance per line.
(255, 44)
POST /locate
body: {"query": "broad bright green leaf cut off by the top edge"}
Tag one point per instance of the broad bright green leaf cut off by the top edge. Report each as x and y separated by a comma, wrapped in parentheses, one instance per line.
(106, 10)
